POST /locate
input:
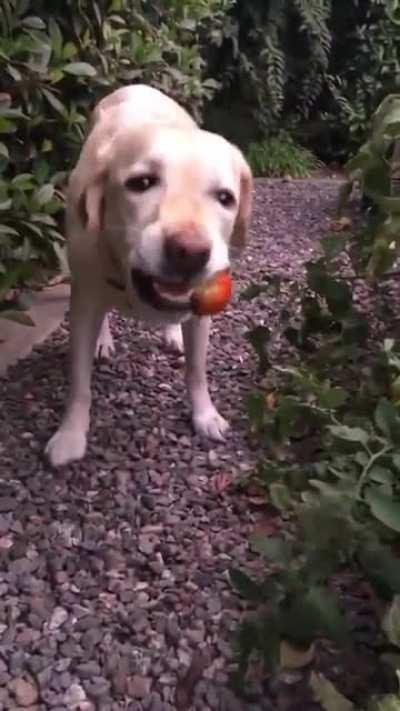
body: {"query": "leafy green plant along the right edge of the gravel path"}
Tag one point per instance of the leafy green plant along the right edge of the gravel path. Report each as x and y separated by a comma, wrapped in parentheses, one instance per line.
(329, 427)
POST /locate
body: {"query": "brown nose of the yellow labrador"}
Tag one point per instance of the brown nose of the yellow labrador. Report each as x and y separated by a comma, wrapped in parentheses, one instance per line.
(186, 254)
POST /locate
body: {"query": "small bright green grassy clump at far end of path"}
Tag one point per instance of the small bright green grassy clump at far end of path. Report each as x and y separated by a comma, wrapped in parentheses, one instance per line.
(280, 156)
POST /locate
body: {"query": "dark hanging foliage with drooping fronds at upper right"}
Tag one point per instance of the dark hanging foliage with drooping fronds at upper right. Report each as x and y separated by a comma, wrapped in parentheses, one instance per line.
(315, 67)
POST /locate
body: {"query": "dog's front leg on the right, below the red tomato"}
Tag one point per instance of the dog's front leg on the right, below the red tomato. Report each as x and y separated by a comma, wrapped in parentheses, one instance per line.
(206, 419)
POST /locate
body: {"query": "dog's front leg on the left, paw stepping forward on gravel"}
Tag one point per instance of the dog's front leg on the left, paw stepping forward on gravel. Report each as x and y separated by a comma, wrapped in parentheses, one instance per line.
(86, 315)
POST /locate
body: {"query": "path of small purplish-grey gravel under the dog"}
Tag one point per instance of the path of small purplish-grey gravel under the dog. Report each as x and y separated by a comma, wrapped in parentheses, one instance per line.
(113, 571)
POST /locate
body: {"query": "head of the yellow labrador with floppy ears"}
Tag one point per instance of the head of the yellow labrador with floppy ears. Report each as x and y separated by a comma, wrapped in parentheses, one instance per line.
(169, 202)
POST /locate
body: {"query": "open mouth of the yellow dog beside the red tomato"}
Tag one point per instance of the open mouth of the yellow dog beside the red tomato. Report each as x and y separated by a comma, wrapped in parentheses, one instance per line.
(163, 294)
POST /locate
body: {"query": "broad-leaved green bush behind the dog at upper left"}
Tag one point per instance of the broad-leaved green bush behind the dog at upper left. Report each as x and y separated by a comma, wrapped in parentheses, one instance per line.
(56, 60)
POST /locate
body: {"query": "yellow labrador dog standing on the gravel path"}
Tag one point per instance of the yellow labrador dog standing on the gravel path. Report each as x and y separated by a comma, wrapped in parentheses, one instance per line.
(153, 205)
